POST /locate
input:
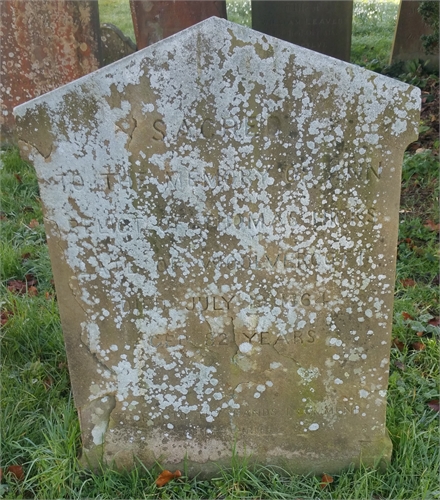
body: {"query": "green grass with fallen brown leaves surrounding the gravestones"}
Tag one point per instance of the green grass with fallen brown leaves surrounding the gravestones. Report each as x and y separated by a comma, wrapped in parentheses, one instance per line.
(39, 425)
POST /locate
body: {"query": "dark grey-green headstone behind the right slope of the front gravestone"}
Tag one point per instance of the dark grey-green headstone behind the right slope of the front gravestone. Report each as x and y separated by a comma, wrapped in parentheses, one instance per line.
(323, 26)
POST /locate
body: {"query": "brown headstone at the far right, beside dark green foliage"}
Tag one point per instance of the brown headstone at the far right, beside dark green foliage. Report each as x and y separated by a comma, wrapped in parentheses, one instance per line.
(410, 27)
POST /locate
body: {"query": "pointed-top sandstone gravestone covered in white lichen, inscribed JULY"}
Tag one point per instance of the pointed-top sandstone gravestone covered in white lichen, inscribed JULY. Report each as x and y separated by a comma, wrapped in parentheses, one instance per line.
(221, 211)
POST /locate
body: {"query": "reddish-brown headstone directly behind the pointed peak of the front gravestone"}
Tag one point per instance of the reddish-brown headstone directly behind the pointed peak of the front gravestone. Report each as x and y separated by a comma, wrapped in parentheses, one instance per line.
(154, 21)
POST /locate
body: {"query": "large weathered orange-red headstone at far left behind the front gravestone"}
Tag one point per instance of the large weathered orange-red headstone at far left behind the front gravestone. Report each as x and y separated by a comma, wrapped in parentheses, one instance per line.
(45, 44)
